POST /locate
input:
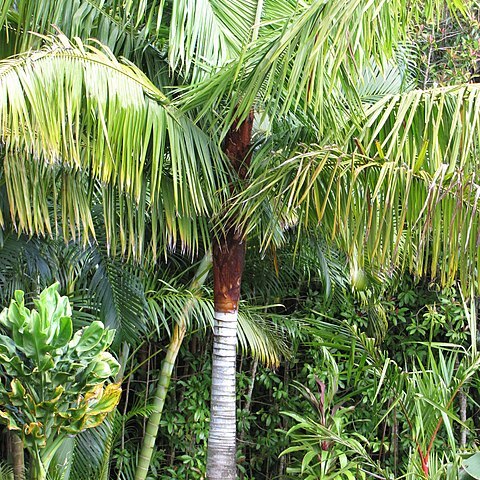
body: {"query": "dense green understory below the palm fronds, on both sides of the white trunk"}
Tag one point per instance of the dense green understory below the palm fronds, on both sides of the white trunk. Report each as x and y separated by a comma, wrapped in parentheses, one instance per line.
(374, 383)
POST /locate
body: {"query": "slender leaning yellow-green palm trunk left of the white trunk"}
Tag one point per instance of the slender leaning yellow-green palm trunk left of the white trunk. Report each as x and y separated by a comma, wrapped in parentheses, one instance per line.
(166, 374)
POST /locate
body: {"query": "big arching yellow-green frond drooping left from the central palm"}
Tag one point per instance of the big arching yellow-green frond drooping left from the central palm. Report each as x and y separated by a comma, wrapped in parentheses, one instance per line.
(102, 105)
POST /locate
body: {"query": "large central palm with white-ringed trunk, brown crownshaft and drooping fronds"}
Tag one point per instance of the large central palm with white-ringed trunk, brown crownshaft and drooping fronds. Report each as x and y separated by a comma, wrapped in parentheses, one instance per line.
(282, 137)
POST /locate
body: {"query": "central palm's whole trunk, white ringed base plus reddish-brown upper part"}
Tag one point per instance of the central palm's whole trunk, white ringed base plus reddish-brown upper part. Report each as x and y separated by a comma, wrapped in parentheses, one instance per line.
(228, 262)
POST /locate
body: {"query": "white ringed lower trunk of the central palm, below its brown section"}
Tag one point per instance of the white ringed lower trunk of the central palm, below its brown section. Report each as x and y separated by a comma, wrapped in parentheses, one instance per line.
(222, 438)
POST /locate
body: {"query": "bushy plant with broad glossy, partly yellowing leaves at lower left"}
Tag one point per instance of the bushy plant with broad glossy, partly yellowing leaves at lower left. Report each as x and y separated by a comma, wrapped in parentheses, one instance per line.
(57, 382)
